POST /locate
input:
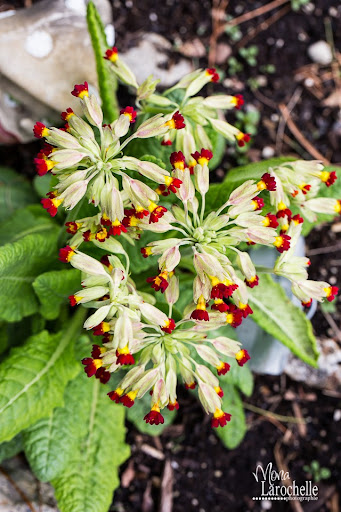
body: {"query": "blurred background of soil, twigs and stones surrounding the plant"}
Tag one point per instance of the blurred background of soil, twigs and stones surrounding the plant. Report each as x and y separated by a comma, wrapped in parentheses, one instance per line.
(284, 57)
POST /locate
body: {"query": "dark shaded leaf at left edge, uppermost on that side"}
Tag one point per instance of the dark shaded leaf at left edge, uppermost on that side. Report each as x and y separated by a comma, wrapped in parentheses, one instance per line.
(15, 192)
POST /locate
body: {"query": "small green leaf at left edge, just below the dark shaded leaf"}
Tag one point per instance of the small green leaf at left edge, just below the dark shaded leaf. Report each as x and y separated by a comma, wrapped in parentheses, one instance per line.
(25, 221)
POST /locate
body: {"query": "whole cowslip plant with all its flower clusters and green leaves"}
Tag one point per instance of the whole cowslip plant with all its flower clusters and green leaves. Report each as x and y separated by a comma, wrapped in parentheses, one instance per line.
(155, 262)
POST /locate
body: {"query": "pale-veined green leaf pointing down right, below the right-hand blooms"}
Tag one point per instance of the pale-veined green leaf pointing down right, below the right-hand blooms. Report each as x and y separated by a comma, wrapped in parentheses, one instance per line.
(278, 316)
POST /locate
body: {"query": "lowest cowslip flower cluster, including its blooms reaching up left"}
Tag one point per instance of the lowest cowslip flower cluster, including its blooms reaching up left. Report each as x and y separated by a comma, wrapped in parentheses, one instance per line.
(137, 334)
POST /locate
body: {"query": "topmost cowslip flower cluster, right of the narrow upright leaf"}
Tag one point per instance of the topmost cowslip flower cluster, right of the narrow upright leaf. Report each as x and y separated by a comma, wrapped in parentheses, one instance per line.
(192, 114)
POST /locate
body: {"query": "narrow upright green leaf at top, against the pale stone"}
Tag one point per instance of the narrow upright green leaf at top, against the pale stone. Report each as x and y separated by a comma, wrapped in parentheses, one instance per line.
(106, 79)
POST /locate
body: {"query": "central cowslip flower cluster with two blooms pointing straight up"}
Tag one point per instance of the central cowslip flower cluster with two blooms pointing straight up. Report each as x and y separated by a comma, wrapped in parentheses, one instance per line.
(223, 273)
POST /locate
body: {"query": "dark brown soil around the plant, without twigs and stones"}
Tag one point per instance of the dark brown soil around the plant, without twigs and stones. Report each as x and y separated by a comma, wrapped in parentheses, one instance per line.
(206, 476)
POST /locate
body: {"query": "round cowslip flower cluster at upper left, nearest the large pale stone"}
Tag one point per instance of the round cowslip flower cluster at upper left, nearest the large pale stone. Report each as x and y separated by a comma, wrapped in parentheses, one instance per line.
(98, 170)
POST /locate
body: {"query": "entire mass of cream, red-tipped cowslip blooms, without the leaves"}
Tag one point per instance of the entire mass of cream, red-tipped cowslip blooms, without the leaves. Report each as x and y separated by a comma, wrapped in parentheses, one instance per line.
(88, 160)
